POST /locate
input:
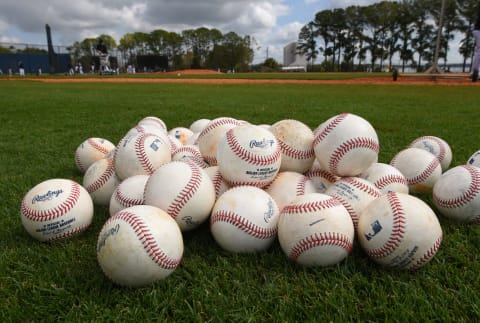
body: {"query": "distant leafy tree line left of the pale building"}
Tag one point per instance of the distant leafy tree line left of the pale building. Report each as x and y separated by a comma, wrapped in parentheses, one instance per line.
(192, 48)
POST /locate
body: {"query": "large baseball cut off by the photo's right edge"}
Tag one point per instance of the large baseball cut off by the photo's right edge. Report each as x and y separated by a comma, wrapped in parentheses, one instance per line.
(457, 194)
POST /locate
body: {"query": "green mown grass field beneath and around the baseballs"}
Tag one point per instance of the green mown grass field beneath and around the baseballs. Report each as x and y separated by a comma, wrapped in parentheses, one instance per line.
(42, 125)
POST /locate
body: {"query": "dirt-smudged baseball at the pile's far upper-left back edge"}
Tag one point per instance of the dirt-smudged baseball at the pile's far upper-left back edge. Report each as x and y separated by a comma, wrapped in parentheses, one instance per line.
(90, 151)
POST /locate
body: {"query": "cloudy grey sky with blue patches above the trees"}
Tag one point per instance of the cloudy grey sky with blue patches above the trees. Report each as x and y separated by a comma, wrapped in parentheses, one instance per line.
(272, 23)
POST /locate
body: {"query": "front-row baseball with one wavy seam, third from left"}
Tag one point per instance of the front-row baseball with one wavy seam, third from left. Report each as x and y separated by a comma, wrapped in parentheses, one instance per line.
(244, 220)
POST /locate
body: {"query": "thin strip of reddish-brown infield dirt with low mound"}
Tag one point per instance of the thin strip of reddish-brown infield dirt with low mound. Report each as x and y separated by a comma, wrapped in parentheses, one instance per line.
(187, 76)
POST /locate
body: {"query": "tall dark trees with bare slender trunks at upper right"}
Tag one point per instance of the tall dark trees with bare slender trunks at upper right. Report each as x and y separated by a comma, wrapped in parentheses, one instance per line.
(360, 37)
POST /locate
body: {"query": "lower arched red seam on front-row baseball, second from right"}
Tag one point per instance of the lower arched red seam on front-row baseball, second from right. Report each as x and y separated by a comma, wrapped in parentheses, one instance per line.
(319, 240)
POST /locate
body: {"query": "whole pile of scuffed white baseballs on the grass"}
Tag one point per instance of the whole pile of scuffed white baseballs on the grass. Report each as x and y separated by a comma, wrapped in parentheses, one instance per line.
(313, 190)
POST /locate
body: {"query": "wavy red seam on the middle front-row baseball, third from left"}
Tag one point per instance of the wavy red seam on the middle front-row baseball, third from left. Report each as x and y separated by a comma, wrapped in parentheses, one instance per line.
(243, 224)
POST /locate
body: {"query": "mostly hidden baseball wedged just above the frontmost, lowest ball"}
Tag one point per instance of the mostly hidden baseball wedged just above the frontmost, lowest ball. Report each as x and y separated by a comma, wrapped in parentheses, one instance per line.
(128, 193)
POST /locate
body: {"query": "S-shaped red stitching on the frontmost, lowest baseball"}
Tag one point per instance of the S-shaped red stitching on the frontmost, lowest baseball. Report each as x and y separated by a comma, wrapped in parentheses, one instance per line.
(147, 239)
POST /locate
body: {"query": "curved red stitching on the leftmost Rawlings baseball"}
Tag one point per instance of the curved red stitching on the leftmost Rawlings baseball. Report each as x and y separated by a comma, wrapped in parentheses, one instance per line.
(59, 210)
